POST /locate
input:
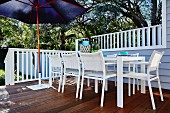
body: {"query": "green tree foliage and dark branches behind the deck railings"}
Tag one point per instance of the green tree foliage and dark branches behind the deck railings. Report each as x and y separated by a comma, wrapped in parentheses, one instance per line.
(102, 17)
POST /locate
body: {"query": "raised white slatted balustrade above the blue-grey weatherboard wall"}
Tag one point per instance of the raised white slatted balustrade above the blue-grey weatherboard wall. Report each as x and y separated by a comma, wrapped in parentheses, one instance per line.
(134, 39)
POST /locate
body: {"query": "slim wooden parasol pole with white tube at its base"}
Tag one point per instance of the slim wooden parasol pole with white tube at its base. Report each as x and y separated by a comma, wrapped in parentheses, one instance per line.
(38, 35)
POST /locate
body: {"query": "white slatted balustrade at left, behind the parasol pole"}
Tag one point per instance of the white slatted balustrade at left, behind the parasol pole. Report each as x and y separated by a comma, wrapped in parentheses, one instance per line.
(21, 65)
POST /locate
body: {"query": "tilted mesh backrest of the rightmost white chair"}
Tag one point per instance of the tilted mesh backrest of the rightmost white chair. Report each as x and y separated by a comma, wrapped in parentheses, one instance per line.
(155, 60)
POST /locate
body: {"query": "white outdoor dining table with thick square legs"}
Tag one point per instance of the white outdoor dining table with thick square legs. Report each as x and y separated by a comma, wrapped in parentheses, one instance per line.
(120, 60)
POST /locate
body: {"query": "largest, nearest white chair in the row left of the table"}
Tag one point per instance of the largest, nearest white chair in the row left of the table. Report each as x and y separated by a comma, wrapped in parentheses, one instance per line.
(94, 63)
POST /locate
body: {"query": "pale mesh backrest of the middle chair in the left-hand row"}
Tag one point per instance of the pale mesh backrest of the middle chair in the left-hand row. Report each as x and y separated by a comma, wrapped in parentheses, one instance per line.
(71, 61)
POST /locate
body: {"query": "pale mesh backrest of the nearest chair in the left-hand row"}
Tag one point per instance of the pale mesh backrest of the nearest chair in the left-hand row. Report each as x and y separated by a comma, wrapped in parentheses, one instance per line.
(92, 61)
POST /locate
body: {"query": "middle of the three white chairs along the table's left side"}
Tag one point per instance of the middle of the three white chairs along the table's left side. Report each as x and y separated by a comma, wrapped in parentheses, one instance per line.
(71, 68)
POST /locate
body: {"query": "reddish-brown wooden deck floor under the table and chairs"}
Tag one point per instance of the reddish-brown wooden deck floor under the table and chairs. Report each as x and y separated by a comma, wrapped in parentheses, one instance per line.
(18, 98)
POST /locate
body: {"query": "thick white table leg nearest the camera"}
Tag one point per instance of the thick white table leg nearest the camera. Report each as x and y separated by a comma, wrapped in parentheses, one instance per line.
(120, 82)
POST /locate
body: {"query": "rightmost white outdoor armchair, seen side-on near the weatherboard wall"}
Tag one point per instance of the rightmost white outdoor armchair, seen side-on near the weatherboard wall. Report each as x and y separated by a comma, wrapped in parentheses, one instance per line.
(153, 65)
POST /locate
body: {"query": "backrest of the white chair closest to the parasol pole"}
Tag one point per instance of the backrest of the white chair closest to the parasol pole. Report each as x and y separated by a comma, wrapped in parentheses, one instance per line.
(55, 60)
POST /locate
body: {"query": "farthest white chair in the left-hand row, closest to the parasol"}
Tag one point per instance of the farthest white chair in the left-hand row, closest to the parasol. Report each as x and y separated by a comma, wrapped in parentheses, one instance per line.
(56, 68)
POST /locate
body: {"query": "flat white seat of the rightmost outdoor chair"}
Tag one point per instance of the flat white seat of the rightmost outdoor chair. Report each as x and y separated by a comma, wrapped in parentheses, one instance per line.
(138, 75)
